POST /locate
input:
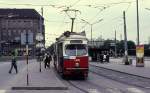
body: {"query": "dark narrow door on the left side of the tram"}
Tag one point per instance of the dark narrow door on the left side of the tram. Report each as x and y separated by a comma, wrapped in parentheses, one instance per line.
(60, 57)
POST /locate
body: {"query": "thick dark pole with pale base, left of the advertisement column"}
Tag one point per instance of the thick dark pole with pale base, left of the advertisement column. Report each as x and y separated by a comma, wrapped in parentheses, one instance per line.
(125, 41)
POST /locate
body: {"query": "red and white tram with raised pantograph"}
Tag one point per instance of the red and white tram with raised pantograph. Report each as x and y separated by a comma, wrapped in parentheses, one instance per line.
(71, 54)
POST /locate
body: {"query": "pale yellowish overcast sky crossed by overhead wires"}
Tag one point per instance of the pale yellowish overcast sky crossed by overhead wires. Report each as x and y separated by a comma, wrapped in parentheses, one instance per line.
(111, 11)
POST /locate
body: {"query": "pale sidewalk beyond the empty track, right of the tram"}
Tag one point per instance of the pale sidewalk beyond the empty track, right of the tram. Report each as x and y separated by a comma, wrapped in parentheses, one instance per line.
(117, 65)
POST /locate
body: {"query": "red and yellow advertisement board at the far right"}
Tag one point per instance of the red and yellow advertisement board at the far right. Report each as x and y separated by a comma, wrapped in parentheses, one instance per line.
(140, 55)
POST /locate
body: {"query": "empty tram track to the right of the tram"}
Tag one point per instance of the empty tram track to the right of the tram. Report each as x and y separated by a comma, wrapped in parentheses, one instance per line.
(129, 79)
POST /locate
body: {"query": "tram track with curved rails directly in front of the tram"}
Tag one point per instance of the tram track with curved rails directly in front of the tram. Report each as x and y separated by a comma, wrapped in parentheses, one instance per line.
(93, 87)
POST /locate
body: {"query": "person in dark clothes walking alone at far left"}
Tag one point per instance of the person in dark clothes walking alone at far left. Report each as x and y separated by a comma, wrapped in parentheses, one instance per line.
(13, 62)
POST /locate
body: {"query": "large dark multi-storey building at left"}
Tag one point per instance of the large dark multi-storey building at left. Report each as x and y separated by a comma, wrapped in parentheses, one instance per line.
(14, 23)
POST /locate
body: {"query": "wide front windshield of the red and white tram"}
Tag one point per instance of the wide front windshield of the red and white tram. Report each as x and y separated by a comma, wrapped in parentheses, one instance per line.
(76, 50)
